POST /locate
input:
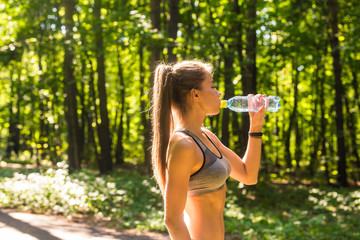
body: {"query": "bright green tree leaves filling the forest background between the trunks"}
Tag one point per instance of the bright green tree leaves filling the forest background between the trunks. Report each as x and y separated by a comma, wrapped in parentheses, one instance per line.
(292, 43)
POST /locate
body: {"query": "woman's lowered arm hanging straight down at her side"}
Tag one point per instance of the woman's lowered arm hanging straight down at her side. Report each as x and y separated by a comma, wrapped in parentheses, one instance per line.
(181, 159)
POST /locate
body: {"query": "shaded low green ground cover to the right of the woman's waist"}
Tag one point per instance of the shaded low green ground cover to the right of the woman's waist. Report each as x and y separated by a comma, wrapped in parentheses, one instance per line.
(284, 211)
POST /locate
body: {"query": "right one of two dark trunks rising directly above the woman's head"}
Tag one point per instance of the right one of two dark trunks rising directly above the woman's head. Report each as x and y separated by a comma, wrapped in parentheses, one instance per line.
(173, 28)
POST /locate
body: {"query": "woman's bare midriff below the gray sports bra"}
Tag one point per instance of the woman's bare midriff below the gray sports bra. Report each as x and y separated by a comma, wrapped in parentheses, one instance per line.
(206, 215)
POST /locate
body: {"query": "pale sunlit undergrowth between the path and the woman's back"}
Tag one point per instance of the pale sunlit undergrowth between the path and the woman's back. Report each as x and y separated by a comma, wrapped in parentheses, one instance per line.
(129, 199)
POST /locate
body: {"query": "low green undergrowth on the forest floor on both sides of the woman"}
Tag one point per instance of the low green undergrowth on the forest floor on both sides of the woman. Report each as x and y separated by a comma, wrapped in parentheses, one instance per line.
(126, 199)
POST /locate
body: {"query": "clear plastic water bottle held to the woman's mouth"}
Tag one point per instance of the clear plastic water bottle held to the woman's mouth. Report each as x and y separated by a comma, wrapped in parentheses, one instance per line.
(251, 103)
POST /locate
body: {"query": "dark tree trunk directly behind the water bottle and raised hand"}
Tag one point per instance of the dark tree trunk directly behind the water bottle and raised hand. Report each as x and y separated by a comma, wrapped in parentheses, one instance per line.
(248, 69)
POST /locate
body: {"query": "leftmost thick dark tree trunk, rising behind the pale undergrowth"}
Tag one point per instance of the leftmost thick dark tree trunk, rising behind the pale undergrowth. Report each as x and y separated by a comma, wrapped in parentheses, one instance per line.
(71, 91)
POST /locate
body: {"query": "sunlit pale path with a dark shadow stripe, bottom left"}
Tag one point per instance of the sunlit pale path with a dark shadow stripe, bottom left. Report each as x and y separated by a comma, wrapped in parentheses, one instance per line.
(16, 225)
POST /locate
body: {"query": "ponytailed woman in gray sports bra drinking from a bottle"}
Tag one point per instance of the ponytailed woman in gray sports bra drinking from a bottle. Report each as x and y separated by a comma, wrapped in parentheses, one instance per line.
(190, 164)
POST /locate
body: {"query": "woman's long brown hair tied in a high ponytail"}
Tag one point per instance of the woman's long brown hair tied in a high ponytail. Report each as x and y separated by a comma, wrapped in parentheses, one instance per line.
(172, 84)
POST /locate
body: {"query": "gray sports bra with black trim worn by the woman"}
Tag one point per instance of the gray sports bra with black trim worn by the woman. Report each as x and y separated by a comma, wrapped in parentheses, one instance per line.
(213, 173)
